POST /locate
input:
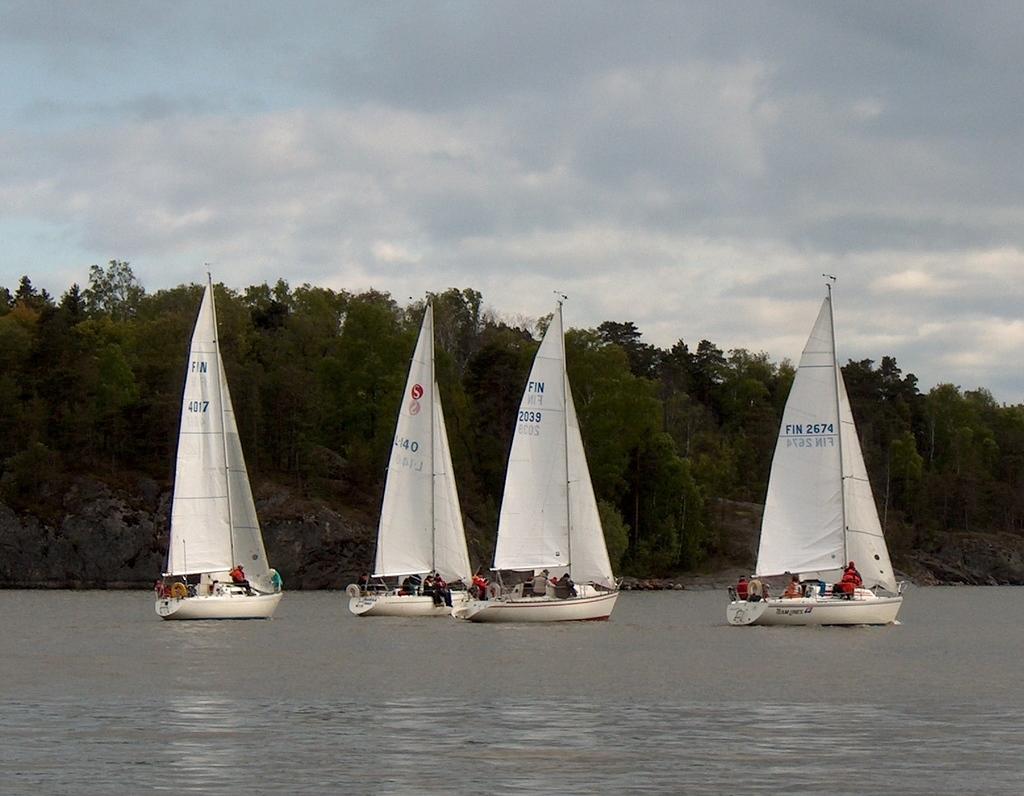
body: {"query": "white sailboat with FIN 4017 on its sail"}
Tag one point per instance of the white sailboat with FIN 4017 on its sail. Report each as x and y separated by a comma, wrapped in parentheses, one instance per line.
(215, 528)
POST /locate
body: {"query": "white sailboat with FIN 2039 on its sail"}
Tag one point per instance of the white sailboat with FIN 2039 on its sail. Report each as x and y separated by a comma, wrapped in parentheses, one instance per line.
(549, 522)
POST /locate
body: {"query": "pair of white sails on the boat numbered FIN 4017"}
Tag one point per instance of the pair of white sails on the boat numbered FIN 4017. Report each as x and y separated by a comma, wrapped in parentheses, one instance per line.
(214, 519)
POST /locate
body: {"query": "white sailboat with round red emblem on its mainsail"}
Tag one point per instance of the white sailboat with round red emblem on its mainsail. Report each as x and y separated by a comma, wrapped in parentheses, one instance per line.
(420, 530)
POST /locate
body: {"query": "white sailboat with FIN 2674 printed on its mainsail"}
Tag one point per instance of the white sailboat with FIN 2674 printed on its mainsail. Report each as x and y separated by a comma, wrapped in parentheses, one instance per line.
(820, 513)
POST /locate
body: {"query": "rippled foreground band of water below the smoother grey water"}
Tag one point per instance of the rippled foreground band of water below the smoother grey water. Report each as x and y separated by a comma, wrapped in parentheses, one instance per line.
(202, 744)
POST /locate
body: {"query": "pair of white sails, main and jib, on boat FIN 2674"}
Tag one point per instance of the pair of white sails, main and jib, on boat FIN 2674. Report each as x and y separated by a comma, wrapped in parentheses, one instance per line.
(820, 512)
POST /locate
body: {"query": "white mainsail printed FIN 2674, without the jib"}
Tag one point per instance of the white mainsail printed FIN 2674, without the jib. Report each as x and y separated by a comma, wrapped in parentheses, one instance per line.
(802, 528)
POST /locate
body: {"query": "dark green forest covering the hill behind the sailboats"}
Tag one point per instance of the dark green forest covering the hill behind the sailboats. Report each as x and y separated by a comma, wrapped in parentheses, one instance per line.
(92, 383)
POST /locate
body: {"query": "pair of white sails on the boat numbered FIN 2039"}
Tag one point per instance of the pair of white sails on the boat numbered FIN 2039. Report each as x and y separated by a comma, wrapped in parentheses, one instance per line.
(549, 514)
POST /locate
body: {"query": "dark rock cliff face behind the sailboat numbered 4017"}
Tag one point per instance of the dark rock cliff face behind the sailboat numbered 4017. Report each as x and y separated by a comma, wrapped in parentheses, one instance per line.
(117, 538)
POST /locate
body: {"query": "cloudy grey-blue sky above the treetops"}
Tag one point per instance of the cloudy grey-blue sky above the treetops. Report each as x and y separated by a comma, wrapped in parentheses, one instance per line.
(693, 167)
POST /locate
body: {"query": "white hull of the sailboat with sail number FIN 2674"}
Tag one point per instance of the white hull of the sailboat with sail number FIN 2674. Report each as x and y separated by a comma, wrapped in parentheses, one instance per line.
(865, 609)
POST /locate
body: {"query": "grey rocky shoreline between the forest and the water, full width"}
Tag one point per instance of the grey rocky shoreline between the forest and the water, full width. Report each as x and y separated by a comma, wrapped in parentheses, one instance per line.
(104, 537)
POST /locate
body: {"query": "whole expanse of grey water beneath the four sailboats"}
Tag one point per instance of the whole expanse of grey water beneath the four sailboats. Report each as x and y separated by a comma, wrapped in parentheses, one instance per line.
(100, 696)
